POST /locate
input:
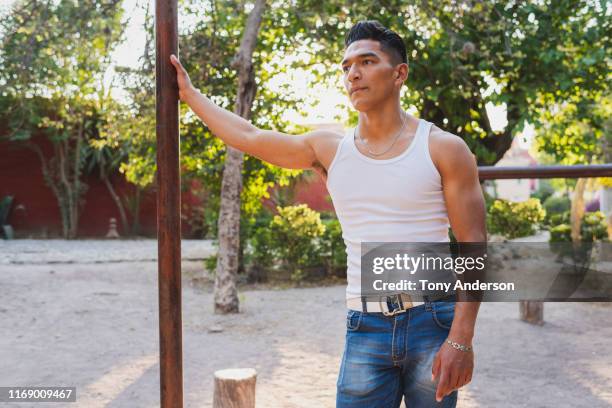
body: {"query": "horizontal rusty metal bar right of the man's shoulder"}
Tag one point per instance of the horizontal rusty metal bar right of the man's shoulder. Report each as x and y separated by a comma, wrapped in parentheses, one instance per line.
(539, 172)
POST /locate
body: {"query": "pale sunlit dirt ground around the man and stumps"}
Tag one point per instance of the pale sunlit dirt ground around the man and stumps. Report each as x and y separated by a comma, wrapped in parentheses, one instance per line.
(80, 321)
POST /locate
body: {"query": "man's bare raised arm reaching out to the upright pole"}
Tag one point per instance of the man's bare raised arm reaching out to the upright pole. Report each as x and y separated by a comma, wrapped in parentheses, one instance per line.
(280, 149)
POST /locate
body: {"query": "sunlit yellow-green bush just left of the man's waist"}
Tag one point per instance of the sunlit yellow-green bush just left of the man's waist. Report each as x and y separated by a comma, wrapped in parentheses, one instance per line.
(295, 232)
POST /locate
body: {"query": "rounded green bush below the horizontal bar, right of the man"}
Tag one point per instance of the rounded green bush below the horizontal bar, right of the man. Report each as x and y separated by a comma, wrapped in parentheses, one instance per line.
(515, 220)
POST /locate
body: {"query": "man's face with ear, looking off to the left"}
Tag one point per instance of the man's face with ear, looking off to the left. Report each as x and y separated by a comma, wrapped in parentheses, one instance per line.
(370, 76)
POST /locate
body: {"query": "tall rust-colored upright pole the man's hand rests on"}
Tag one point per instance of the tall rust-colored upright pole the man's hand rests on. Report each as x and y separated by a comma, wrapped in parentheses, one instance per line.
(168, 207)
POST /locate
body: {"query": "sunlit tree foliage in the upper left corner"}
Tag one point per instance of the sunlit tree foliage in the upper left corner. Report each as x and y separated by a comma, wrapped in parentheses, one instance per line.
(58, 50)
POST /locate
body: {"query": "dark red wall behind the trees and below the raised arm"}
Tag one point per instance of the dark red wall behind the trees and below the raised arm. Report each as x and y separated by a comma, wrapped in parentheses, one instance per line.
(35, 212)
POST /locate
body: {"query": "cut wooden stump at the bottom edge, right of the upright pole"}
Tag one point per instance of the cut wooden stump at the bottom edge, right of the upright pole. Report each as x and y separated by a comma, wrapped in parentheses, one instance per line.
(235, 388)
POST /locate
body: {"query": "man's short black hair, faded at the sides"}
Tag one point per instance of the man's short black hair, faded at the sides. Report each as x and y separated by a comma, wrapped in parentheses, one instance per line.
(390, 42)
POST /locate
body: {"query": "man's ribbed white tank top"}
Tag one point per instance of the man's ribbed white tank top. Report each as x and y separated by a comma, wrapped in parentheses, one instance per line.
(390, 200)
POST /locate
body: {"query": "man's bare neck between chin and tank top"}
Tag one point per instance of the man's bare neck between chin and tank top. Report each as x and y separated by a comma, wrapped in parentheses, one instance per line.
(383, 124)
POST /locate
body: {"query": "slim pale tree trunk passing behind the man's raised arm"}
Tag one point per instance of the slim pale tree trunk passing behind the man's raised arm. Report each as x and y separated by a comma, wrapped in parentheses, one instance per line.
(226, 294)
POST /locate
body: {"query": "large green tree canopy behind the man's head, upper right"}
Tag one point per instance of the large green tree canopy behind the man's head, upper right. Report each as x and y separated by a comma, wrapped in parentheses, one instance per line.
(523, 55)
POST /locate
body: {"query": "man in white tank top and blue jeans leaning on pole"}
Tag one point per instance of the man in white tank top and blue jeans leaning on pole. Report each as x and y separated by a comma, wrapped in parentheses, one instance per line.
(392, 178)
